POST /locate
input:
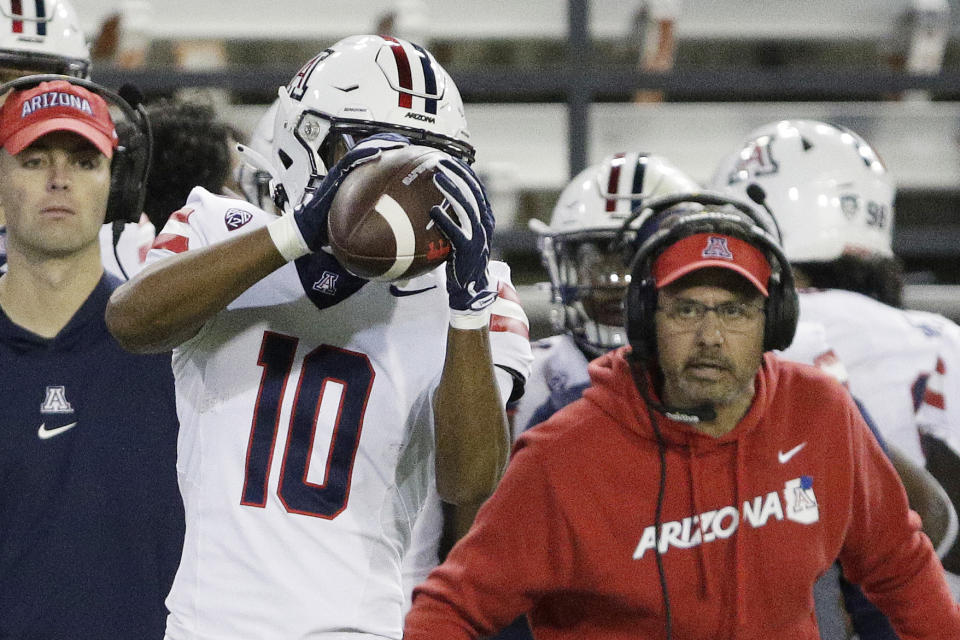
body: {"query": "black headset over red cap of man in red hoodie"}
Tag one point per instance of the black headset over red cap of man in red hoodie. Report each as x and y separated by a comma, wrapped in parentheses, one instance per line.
(661, 228)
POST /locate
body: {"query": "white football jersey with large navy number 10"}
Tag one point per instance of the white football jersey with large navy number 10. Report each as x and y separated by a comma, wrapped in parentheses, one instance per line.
(306, 442)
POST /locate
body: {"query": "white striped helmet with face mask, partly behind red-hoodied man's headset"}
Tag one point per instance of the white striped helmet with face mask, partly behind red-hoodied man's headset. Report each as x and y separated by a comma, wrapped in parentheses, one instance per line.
(587, 256)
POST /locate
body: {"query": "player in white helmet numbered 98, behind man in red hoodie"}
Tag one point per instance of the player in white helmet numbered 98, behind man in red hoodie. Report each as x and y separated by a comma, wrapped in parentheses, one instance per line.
(833, 198)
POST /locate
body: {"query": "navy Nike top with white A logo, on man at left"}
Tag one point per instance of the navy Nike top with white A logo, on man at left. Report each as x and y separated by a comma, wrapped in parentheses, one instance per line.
(91, 520)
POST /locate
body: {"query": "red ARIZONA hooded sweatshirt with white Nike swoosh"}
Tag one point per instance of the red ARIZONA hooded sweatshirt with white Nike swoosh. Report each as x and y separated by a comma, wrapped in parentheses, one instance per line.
(750, 520)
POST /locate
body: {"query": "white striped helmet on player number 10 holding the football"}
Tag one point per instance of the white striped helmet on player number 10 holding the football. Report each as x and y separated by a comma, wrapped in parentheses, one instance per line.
(360, 86)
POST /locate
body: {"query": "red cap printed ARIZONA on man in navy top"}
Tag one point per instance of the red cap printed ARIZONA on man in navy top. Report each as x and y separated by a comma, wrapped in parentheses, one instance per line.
(56, 106)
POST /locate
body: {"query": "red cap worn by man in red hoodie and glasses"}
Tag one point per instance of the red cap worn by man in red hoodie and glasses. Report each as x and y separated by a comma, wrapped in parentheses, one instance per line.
(712, 250)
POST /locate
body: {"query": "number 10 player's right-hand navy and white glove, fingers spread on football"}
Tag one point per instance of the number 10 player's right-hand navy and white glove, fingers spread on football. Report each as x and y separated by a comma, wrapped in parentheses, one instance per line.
(469, 232)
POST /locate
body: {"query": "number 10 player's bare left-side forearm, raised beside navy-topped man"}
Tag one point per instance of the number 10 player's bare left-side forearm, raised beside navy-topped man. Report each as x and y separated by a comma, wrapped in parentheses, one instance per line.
(169, 301)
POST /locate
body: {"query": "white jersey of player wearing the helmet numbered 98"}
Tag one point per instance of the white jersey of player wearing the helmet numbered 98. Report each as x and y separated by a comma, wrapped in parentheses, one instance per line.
(890, 355)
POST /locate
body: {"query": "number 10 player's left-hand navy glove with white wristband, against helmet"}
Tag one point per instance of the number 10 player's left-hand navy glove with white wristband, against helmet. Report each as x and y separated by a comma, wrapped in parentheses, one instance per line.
(306, 230)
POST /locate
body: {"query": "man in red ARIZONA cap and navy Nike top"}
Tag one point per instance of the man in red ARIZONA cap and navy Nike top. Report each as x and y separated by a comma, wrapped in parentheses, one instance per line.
(91, 522)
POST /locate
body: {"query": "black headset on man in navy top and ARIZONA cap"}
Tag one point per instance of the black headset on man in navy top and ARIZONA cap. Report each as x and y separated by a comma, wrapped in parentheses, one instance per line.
(131, 159)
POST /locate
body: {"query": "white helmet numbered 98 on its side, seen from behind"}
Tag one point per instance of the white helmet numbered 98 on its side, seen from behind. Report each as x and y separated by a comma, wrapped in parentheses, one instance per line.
(828, 190)
